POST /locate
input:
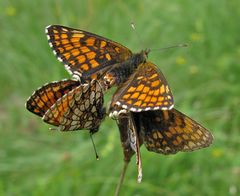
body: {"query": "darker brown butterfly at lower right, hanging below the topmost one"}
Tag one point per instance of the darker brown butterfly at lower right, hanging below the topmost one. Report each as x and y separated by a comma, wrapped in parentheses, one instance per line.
(161, 131)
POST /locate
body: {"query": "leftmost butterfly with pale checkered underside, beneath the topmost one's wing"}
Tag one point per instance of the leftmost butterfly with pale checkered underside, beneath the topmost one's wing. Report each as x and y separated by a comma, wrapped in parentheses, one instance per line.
(69, 105)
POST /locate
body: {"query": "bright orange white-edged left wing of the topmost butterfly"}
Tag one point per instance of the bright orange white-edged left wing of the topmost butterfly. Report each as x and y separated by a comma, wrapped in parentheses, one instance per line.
(84, 53)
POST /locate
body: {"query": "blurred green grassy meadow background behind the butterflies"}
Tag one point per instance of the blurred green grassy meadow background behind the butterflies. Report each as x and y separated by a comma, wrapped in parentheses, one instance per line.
(204, 79)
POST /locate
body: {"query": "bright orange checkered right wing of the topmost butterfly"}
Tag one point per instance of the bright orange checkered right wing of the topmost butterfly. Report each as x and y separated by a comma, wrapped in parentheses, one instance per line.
(146, 89)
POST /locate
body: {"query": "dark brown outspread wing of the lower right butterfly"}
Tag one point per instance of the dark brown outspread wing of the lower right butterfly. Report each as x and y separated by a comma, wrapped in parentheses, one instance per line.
(170, 131)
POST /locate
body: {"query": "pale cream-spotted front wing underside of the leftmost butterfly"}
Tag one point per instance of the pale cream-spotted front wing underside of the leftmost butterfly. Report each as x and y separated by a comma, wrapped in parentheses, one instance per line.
(81, 108)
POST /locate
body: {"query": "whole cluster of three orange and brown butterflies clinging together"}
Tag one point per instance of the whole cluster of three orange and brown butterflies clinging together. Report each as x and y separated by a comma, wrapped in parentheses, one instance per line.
(142, 104)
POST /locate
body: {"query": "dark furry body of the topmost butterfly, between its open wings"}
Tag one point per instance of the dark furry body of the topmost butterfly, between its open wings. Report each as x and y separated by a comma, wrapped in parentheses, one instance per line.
(120, 72)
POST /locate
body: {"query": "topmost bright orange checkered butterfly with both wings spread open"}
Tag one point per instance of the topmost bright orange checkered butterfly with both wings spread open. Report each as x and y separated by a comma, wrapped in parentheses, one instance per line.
(86, 56)
